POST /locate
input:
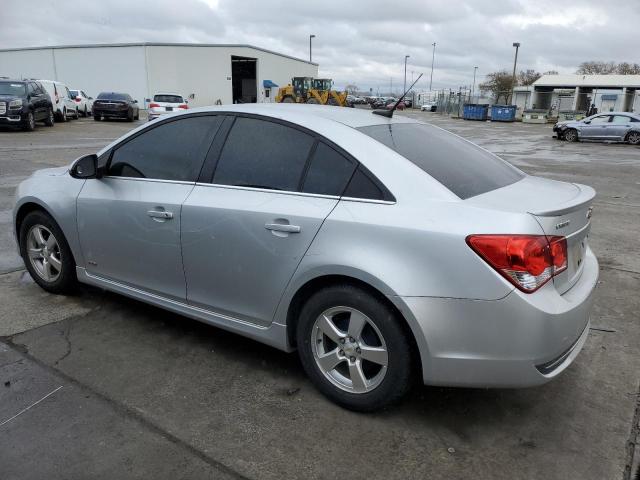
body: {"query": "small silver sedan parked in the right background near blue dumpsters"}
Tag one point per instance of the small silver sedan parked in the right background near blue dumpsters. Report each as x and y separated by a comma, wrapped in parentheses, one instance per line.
(612, 126)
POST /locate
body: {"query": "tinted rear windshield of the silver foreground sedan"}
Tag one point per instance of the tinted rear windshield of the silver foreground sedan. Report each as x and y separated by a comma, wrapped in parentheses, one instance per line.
(464, 168)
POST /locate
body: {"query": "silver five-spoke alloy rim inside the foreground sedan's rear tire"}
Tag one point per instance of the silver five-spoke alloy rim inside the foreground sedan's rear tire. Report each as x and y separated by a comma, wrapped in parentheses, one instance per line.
(349, 349)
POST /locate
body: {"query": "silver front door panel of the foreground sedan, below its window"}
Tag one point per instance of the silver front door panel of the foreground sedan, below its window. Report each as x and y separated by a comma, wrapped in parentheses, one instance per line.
(124, 236)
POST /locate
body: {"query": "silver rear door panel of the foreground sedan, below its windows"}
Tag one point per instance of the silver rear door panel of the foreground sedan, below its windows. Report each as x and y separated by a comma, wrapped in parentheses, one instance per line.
(241, 246)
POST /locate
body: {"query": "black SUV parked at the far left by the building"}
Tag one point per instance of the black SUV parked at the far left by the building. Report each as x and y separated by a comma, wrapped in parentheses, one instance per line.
(23, 103)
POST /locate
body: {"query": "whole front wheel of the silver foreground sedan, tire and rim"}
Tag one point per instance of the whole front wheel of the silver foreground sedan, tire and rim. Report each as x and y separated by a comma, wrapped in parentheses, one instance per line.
(46, 253)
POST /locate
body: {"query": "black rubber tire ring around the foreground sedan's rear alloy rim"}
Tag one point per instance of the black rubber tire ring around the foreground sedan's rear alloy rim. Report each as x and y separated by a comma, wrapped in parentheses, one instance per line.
(397, 380)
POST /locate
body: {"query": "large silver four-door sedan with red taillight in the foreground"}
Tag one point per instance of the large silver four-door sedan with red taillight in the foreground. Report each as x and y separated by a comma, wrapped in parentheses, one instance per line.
(380, 248)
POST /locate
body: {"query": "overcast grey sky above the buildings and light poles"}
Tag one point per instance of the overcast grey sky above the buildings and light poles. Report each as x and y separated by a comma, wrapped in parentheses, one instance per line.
(361, 42)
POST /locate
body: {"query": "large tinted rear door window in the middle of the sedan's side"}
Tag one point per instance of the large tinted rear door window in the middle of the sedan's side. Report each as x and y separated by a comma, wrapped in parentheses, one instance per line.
(263, 154)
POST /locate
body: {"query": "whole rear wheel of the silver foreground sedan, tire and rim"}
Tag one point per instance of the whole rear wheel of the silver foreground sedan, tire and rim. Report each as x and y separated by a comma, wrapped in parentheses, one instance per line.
(354, 348)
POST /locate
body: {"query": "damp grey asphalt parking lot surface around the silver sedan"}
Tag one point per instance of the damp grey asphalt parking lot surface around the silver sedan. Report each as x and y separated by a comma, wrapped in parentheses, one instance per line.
(100, 386)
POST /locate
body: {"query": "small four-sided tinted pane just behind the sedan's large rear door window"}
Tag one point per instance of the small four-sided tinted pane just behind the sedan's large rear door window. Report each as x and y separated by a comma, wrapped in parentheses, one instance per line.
(329, 172)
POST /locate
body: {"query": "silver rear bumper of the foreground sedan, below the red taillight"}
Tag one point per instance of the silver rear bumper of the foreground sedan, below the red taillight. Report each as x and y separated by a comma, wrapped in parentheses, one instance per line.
(520, 340)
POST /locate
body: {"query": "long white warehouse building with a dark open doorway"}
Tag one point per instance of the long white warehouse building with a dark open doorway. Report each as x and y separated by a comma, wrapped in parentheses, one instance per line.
(206, 74)
